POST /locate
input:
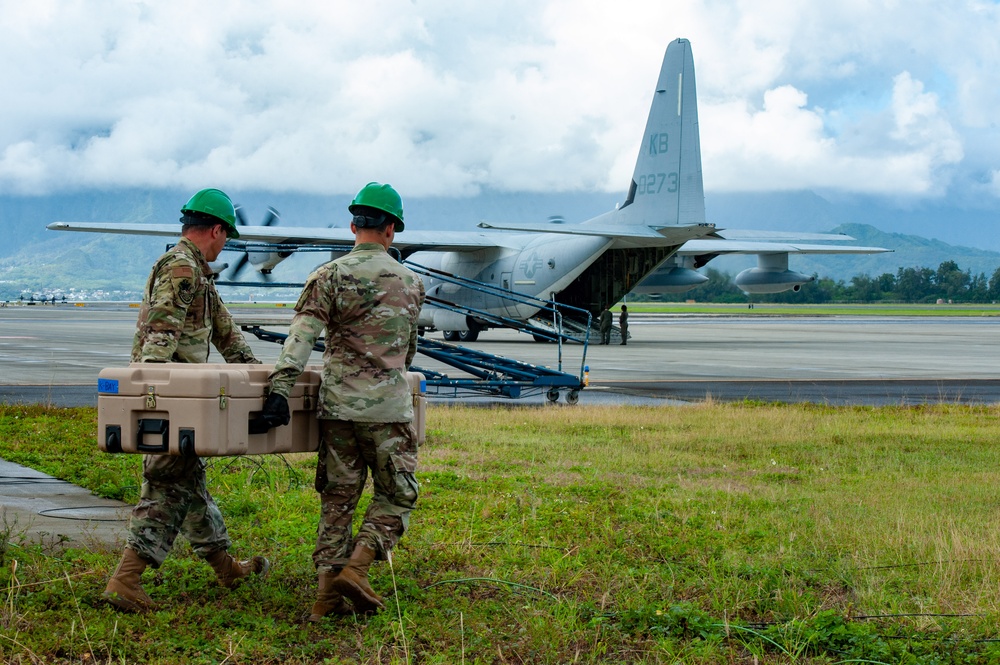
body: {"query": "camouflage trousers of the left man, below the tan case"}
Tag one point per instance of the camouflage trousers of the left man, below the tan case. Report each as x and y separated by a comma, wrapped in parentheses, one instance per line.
(175, 499)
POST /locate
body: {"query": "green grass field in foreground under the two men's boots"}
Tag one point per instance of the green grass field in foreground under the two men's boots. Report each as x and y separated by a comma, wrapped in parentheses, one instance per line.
(716, 533)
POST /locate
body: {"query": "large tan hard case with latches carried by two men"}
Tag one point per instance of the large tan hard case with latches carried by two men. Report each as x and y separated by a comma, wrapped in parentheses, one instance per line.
(205, 410)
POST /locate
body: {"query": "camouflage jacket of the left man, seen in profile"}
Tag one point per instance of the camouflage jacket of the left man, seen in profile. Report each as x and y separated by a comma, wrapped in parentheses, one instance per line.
(182, 313)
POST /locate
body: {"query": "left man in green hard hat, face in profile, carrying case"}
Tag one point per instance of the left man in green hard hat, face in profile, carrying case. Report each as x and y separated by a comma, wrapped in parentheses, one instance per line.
(181, 315)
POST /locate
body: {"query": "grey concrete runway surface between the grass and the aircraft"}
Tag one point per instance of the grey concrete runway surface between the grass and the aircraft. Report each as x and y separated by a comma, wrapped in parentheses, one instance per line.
(52, 354)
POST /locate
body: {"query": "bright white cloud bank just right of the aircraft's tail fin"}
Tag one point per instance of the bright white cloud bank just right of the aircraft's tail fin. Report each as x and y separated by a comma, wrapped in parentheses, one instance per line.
(785, 146)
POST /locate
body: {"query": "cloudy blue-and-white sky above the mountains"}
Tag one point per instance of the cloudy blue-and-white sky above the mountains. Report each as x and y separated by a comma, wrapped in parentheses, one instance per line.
(897, 99)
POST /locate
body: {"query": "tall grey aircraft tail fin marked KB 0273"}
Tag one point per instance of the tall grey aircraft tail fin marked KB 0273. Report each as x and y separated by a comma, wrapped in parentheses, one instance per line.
(667, 187)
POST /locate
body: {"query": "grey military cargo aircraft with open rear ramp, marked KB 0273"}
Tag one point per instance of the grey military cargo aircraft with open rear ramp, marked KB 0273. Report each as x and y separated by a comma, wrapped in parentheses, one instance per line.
(650, 243)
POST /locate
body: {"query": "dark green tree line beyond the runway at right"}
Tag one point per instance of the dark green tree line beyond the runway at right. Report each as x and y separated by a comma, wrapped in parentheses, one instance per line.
(910, 285)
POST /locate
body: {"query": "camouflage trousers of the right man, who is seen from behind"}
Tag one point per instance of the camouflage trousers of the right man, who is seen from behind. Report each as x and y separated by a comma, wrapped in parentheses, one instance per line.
(347, 452)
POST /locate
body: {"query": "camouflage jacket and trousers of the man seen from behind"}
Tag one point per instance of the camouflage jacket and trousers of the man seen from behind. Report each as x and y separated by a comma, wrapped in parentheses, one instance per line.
(368, 304)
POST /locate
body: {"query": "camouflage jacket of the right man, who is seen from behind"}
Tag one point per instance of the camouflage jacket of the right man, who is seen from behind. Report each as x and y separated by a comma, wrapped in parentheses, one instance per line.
(368, 303)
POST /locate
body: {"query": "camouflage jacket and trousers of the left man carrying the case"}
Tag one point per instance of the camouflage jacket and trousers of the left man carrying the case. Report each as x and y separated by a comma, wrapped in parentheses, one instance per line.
(181, 315)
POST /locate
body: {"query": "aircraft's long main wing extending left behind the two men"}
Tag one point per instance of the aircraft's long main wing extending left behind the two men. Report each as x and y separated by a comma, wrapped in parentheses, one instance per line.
(408, 241)
